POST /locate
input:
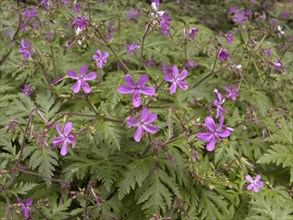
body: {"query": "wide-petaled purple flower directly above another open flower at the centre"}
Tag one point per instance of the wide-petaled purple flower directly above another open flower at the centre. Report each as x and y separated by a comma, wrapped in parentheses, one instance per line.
(136, 88)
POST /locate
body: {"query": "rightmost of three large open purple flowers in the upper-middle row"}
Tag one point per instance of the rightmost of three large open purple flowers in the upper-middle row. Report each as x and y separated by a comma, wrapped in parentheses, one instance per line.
(176, 79)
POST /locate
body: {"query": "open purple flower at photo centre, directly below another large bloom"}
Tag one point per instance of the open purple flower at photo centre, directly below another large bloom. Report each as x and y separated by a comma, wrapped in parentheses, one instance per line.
(144, 125)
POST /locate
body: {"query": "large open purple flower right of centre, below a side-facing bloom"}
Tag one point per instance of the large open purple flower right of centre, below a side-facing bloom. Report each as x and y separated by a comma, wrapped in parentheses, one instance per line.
(214, 134)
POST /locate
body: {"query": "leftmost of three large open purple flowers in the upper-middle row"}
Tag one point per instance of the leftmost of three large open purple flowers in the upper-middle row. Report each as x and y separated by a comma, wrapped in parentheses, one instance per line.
(81, 79)
